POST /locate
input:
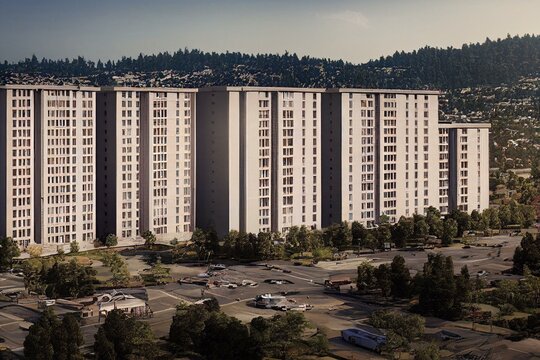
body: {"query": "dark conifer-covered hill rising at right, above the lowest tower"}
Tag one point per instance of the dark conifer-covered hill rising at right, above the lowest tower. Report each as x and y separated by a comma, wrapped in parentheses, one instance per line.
(491, 63)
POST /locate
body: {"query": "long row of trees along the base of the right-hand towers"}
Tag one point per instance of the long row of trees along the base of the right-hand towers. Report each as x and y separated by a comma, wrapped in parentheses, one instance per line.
(342, 236)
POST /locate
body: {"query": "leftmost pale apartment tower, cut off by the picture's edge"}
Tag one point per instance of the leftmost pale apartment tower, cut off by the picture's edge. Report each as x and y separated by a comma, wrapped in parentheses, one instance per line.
(47, 157)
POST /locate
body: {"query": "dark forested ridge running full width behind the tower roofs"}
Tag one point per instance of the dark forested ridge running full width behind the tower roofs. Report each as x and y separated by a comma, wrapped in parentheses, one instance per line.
(492, 63)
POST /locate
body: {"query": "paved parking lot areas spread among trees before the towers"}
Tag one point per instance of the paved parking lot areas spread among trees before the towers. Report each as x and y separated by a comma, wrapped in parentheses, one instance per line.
(331, 312)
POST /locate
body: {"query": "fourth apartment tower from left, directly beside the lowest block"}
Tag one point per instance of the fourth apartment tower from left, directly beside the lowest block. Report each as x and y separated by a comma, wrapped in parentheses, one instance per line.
(379, 149)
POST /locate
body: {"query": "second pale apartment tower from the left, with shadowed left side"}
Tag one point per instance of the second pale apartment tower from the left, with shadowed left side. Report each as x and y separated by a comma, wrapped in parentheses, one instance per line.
(146, 153)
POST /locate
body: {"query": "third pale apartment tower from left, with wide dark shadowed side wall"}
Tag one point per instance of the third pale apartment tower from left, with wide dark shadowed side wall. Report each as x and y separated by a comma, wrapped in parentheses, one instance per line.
(260, 151)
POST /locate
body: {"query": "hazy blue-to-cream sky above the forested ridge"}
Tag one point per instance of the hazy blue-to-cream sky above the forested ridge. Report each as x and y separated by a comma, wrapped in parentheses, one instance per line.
(354, 30)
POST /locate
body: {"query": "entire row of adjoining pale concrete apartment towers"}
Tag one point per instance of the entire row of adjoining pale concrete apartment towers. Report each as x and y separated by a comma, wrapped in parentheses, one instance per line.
(266, 158)
